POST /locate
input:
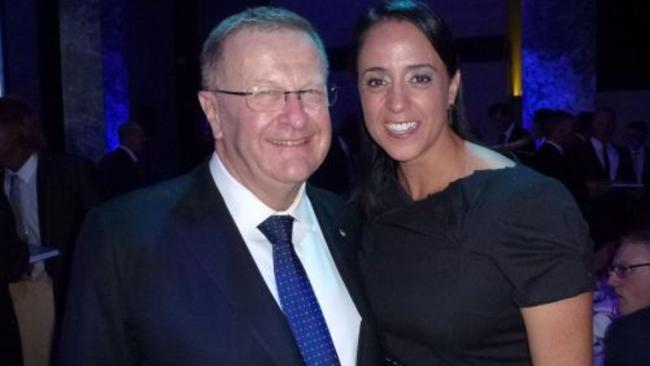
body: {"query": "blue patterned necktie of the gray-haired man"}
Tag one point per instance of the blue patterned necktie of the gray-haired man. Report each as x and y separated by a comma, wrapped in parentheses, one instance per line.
(297, 298)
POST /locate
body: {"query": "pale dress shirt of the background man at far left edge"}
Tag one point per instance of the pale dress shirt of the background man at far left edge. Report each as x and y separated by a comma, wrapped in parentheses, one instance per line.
(28, 204)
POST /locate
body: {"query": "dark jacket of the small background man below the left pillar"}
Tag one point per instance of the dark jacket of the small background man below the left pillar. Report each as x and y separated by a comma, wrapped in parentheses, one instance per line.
(118, 173)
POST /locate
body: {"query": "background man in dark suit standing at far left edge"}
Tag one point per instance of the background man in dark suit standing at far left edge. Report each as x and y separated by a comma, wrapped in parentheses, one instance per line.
(49, 196)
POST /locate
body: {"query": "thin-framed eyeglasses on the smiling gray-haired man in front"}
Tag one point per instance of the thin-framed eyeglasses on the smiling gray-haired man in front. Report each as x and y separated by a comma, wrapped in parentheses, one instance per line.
(262, 99)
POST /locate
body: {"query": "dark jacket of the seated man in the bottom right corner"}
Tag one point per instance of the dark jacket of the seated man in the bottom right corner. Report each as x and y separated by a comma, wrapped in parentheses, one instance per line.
(627, 342)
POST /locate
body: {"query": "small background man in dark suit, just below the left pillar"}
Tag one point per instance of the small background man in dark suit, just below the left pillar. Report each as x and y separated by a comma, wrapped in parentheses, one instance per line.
(120, 170)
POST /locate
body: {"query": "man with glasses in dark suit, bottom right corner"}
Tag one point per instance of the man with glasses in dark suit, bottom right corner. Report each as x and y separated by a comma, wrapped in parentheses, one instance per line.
(627, 339)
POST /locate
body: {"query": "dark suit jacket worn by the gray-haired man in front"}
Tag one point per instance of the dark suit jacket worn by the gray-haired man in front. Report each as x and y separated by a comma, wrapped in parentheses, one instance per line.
(163, 277)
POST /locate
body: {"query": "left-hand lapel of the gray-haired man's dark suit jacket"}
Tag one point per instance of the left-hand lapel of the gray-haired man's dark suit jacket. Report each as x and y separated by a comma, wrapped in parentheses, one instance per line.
(219, 248)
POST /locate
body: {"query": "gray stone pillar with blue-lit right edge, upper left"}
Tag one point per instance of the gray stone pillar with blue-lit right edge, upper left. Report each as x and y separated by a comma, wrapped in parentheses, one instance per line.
(93, 74)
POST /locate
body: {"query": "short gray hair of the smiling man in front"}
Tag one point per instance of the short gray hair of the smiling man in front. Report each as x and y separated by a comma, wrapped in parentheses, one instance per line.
(264, 18)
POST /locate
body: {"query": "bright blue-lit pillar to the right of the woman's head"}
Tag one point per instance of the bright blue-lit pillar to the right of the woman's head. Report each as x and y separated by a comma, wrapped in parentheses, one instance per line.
(559, 55)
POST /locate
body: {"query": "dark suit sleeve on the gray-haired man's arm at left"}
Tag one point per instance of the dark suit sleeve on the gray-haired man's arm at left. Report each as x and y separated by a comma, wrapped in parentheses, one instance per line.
(94, 330)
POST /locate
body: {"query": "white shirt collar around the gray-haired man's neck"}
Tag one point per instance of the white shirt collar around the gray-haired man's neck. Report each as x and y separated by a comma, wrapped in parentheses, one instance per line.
(247, 210)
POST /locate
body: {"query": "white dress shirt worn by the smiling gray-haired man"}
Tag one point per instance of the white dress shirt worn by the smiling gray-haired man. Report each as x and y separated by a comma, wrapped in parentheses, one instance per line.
(248, 211)
